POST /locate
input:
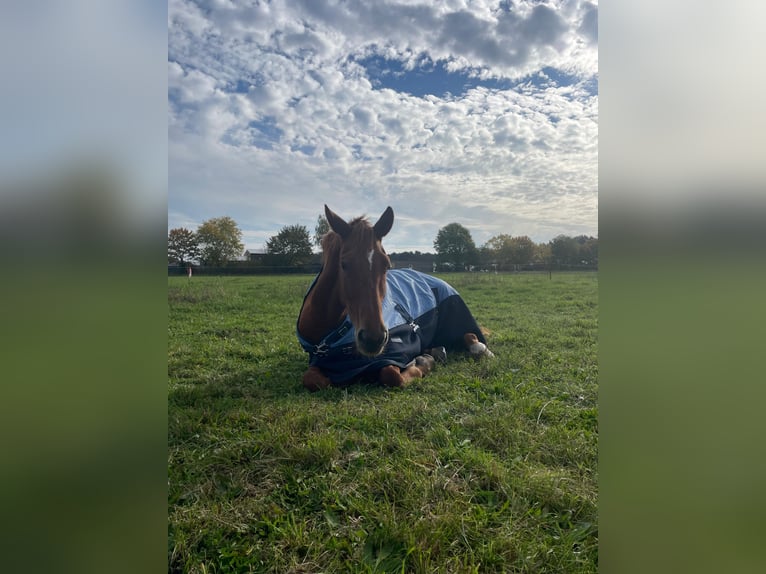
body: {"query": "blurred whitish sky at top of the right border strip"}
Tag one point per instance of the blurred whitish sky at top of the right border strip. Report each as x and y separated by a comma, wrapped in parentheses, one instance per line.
(681, 113)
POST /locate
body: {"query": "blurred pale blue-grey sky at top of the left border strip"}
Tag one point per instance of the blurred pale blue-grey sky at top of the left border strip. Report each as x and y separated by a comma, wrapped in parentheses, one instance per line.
(84, 87)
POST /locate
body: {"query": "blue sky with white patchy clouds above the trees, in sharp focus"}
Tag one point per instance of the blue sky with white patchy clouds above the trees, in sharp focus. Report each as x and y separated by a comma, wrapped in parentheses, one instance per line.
(479, 112)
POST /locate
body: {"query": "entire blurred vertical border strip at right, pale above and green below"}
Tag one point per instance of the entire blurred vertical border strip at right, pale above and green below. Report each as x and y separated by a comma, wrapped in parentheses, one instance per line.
(682, 230)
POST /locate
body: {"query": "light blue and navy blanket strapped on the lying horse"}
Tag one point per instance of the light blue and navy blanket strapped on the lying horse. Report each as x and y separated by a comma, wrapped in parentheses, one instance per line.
(420, 312)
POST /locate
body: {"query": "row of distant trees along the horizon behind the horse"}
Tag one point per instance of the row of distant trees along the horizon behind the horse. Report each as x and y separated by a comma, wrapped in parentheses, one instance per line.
(218, 241)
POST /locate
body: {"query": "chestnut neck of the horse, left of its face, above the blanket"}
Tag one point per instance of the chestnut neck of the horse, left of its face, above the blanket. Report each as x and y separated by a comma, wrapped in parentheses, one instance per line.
(323, 309)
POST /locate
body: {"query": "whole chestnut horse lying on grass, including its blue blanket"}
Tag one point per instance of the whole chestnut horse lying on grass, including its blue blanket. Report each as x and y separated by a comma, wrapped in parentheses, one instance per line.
(361, 319)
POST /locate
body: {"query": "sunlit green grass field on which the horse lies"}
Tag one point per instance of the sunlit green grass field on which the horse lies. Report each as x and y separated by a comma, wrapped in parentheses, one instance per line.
(480, 467)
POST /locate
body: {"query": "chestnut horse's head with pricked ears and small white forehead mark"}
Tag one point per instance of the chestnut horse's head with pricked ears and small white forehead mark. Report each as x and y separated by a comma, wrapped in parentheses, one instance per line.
(362, 276)
